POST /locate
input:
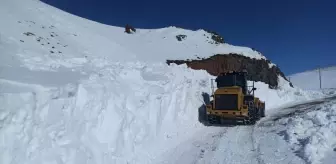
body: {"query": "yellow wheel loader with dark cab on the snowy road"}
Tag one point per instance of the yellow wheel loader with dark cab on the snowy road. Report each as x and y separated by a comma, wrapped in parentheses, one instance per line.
(234, 100)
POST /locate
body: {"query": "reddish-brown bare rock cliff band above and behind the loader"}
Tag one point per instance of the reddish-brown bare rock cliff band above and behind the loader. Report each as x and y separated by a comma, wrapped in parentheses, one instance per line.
(258, 70)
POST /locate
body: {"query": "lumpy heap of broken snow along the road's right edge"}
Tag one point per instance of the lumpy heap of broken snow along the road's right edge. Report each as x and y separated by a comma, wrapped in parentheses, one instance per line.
(314, 133)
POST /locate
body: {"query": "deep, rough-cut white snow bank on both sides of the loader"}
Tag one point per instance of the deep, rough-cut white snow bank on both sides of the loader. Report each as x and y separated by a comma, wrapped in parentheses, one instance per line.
(126, 112)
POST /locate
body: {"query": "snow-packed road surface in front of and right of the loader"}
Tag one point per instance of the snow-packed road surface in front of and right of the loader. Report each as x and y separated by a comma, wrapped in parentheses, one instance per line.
(262, 143)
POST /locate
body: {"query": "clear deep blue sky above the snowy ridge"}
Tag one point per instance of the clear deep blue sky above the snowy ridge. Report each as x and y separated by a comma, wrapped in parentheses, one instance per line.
(296, 35)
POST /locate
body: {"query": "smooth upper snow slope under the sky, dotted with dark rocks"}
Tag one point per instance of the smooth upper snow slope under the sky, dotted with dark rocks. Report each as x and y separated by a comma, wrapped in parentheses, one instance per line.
(54, 33)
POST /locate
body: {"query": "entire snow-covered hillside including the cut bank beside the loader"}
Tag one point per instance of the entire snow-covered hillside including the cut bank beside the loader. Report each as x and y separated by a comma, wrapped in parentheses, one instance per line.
(76, 91)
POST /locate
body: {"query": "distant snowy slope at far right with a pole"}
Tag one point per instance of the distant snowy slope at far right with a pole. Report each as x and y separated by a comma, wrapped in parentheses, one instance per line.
(311, 79)
